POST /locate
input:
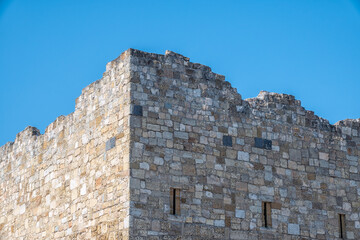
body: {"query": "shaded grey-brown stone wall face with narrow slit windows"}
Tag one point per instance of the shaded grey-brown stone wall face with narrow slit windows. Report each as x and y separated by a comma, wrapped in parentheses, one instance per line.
(261, 168)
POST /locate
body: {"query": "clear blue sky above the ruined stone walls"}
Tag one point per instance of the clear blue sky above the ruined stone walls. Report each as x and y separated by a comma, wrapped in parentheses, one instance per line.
(50, 50)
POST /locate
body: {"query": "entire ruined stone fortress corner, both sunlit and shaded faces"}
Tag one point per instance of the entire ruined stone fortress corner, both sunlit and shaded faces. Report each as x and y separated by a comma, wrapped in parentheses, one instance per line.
(163, 148)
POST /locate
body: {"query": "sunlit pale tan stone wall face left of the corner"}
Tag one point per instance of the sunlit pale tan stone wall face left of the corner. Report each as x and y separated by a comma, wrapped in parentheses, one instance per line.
(72, 182)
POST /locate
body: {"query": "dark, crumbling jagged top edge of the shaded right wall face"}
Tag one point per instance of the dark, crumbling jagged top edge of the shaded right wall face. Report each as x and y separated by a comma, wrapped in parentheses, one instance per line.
(263, 102)
